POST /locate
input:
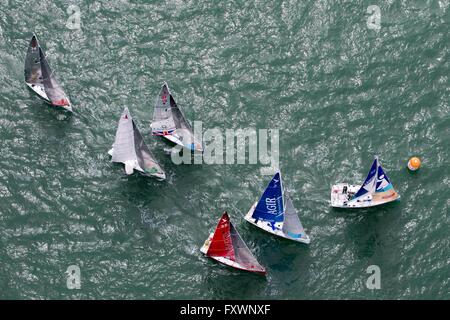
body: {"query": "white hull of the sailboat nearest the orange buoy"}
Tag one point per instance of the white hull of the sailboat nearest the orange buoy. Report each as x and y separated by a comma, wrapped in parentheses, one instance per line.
(342, 193)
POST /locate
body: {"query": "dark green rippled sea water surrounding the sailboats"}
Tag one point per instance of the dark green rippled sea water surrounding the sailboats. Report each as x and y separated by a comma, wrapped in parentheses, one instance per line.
(338, 91)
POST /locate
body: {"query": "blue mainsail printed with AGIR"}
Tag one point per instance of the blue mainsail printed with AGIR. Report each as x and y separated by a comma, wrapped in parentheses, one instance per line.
(270, 207)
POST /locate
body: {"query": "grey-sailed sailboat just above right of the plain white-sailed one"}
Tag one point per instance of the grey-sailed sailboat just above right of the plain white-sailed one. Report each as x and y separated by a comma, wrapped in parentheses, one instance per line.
(170, 122)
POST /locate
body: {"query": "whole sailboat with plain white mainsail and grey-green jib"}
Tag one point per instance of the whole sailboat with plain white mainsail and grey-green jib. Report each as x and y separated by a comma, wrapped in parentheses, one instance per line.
(130, 149)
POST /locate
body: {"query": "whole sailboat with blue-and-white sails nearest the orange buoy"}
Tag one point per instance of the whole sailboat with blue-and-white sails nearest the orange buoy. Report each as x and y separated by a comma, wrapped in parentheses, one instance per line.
(376, 189)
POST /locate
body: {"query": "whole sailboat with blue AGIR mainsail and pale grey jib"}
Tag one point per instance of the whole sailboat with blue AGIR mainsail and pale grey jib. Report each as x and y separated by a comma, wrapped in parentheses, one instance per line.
(276, 214)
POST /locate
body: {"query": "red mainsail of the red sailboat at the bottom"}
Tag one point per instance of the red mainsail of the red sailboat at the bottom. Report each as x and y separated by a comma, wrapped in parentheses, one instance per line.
(221, 243)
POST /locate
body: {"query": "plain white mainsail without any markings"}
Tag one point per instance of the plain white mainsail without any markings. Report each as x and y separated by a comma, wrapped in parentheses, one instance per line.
(124, 149)
